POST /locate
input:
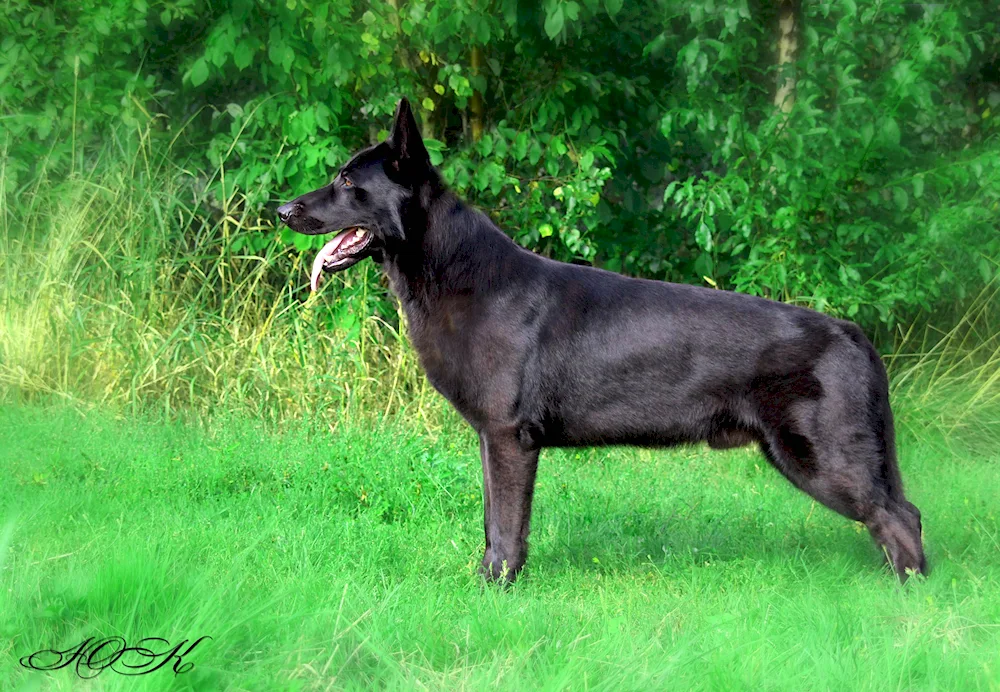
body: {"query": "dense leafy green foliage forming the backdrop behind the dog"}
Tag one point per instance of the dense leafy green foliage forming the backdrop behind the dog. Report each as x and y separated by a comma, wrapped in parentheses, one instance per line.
(642, 137)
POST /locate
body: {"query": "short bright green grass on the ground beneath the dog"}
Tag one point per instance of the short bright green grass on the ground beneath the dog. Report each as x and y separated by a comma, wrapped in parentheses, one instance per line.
(347, 559)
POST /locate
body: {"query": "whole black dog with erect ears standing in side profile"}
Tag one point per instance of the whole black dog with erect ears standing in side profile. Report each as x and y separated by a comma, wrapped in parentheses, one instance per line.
(536, 353)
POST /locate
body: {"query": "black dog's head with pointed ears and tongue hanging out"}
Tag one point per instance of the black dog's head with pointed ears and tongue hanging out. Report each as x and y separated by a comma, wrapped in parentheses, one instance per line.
(365, 204)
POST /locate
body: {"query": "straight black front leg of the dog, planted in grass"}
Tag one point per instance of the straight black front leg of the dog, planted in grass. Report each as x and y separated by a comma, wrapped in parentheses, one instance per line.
(508, 486)
